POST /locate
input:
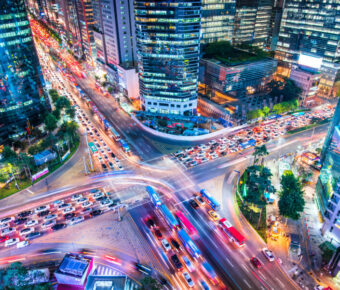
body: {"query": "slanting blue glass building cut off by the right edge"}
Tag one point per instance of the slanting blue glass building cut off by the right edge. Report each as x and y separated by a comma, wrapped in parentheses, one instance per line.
(328, 185)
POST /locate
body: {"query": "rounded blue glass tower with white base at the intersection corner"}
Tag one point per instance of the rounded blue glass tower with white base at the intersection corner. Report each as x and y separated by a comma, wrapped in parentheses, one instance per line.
(168, 48)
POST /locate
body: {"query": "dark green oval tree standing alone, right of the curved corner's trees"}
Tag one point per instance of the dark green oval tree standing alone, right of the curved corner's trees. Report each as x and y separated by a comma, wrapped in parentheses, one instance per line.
(291, 202)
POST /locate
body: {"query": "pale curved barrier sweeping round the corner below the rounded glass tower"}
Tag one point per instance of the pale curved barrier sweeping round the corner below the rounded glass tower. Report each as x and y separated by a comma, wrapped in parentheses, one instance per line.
(200, 138)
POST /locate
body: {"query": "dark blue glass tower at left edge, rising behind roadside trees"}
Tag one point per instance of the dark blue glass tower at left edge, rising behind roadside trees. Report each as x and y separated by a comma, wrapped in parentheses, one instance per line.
(21, 83)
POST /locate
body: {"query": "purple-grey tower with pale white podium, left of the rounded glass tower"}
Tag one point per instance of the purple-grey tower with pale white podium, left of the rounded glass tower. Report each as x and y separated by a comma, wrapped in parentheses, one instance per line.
(116, 43)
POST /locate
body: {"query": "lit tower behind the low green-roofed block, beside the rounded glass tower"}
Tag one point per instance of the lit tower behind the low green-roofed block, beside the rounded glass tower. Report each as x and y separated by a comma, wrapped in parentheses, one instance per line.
(217, 20)
